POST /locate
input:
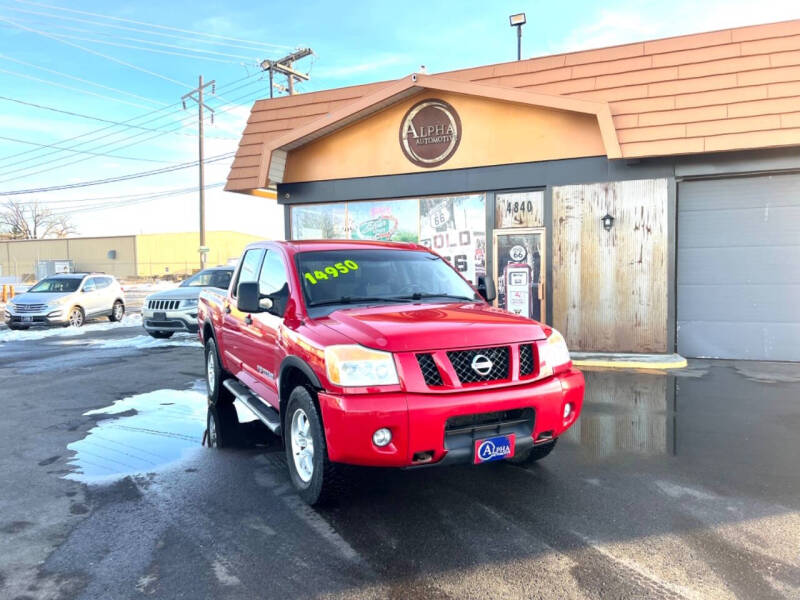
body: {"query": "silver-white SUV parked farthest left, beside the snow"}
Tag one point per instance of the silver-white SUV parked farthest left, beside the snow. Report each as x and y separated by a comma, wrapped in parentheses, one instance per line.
(68, 299)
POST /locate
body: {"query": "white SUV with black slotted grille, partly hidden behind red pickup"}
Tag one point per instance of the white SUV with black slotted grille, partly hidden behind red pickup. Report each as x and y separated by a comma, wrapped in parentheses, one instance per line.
(166, 312)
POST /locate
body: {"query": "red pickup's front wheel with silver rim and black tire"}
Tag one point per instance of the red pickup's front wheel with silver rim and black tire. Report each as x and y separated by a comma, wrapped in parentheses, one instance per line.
(316, 479)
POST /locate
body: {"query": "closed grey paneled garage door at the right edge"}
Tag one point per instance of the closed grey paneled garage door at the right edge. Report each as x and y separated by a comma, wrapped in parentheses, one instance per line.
(739, 268)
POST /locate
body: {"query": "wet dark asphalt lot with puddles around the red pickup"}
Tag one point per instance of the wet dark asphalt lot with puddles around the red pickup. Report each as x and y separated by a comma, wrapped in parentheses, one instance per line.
(682, 486)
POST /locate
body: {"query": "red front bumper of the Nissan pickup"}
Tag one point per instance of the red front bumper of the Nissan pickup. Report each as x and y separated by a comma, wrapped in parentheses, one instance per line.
(418, 421)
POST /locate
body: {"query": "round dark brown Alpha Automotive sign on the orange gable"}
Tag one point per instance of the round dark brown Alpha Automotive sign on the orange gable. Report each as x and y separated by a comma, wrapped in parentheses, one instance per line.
(430, 133)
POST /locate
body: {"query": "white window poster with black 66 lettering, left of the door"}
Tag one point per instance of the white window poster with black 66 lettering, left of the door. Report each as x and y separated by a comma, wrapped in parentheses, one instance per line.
(455, 227)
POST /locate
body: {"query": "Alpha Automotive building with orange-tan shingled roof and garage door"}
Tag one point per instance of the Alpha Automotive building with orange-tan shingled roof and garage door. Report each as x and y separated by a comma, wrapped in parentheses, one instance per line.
(639, 198)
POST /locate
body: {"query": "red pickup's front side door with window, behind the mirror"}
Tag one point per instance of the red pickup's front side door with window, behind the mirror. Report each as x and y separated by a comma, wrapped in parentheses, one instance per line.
(259, 341)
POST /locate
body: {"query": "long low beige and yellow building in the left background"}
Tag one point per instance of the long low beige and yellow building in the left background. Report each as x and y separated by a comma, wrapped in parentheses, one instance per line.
(156, 254)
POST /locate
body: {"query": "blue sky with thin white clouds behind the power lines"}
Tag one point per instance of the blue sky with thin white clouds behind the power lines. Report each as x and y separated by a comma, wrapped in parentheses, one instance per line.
(354, 42)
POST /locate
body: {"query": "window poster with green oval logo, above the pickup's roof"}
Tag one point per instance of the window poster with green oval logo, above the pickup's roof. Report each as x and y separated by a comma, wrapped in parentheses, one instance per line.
(385, 220)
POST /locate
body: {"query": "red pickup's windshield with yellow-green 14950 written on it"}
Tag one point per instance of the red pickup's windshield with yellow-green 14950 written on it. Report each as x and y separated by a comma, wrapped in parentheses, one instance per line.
(336, 277)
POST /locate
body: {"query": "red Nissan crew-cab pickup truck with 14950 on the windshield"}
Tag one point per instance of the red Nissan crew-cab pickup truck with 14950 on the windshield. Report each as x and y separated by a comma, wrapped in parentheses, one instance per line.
(380, 354)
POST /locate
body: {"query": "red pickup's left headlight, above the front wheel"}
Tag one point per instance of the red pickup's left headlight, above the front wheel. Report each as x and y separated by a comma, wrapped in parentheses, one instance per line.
(356, 366)
